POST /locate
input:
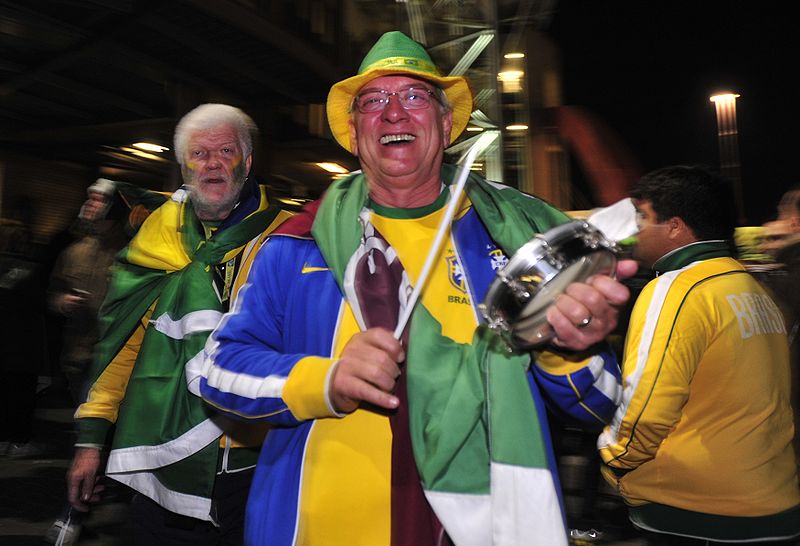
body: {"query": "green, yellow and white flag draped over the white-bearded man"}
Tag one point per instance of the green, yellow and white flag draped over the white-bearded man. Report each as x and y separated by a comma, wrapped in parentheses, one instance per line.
(166, 440)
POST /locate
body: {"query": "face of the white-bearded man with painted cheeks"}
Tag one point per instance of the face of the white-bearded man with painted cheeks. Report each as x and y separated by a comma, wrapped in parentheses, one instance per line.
(215, 169)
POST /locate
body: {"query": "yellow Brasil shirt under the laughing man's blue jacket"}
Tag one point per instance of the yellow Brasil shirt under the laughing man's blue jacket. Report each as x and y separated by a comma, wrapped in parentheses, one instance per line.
(346, 487)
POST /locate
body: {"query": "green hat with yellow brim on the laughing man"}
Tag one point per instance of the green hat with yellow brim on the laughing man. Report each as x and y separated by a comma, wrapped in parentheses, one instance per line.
(396, 53)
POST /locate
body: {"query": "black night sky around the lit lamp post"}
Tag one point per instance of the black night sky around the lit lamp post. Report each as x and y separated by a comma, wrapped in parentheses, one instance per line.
(647, 68)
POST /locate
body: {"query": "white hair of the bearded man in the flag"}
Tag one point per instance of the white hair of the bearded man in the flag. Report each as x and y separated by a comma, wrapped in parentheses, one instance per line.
(208, 116)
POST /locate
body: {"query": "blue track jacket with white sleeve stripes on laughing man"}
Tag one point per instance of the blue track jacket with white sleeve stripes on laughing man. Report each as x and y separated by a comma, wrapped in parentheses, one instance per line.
(288, 310)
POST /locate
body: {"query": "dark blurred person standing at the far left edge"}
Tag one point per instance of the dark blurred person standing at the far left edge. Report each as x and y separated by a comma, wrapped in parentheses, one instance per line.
(22, 329)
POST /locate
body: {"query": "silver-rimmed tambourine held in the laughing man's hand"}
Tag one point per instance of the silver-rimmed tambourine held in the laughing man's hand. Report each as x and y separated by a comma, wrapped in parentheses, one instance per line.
(517, 301)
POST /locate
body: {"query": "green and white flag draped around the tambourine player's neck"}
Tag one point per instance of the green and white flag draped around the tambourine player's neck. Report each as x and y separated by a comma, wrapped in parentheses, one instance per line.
(475, 428)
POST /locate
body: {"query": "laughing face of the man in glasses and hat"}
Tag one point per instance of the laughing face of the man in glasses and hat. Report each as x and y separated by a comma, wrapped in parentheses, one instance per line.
(401, 150)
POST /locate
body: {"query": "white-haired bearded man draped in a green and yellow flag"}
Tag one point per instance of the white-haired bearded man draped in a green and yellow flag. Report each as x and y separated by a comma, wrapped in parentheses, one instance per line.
(189, 466)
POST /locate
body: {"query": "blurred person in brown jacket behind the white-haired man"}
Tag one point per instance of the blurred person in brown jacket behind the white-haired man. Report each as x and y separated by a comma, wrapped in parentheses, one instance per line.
(79, 281)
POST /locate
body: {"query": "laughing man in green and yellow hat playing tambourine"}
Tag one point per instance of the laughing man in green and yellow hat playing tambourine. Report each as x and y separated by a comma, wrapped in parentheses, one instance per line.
(437, 437)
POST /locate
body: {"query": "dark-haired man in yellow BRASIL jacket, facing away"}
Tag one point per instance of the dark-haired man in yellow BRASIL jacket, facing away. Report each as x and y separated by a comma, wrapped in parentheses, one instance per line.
(701, 445)
